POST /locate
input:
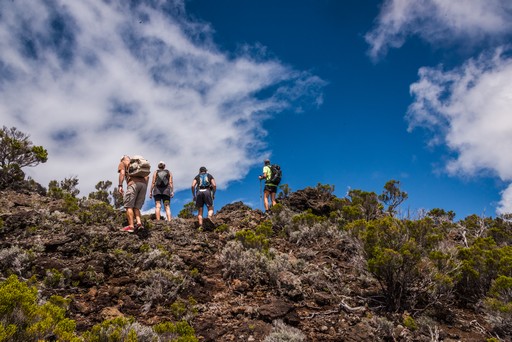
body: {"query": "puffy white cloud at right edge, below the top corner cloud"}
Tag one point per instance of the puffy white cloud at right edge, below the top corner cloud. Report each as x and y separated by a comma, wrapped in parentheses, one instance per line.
(469, 110)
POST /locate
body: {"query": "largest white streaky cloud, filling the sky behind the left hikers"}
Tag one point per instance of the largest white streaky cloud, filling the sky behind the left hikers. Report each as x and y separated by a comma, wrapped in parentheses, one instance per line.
(93, 80)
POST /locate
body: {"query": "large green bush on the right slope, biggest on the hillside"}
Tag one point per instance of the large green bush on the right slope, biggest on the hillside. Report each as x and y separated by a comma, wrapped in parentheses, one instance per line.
(399, 255)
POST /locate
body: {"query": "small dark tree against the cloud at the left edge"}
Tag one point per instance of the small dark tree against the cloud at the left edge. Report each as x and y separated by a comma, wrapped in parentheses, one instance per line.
(16, 152)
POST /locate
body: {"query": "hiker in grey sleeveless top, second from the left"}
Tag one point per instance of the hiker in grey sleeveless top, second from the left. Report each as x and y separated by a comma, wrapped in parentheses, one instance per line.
(162, 190)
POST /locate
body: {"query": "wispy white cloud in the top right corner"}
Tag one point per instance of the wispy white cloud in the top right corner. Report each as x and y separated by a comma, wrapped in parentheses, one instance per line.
(439, 21)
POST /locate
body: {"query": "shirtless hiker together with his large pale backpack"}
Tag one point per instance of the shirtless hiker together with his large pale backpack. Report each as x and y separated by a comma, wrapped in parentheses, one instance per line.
(135, 171)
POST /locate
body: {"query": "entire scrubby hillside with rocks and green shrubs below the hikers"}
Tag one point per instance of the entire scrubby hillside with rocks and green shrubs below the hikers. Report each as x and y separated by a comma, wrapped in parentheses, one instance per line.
(317, 268)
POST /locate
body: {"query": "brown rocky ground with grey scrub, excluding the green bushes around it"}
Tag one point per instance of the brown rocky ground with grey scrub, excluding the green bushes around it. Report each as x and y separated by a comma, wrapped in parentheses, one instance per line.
(310, 282)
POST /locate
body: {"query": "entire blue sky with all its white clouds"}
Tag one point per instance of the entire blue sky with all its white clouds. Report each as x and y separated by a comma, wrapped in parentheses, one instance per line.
(347, 93)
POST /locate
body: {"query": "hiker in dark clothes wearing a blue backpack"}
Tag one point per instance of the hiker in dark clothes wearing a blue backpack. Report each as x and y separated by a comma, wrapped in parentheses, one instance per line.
(203, 191)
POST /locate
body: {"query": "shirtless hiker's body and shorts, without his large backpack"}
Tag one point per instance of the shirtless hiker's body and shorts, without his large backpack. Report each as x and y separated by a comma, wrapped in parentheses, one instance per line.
(133, 198)
